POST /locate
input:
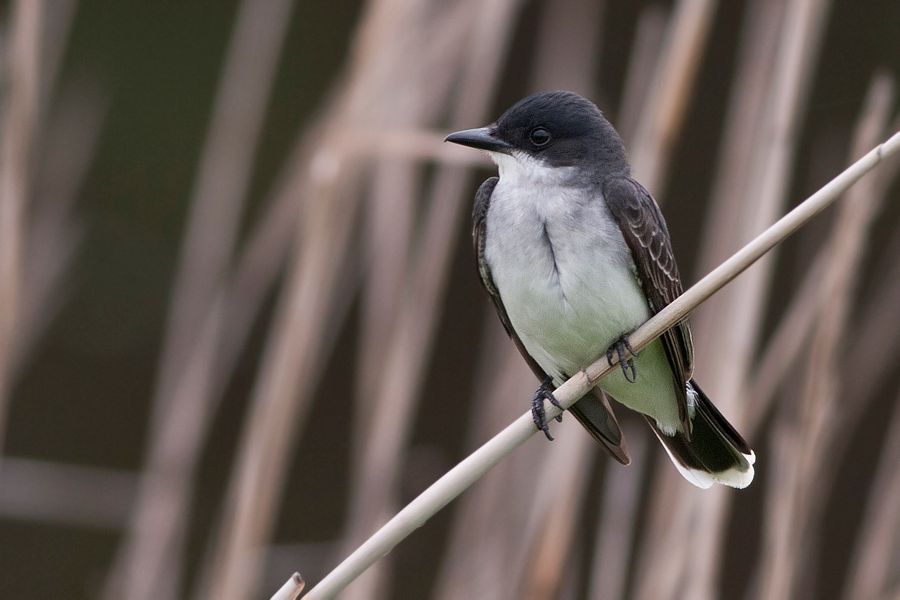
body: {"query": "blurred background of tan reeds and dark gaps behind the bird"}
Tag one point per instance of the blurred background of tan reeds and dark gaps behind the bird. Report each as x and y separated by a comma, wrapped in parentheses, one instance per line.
(240, 324)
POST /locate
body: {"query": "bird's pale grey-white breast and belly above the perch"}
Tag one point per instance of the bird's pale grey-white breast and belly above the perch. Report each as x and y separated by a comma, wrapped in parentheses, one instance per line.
(562, 269)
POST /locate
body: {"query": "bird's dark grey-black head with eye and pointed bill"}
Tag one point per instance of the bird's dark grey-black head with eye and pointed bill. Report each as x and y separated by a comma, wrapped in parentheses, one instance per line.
(559, 129)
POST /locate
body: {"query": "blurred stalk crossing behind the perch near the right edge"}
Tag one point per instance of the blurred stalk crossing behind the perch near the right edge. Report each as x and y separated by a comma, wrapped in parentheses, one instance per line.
(807, 426)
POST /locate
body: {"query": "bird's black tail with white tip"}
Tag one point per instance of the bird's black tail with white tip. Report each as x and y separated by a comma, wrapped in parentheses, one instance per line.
(715, 451)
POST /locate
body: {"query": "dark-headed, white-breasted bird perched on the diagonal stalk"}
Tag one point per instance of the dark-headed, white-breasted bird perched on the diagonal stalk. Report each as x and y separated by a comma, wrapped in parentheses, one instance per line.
(575, 254)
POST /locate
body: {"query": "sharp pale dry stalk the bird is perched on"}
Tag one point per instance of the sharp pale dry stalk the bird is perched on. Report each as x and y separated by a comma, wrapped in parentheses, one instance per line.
(467, 472)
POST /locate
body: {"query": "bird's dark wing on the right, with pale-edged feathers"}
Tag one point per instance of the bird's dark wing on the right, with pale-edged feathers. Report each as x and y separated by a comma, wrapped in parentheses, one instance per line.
(646, 235)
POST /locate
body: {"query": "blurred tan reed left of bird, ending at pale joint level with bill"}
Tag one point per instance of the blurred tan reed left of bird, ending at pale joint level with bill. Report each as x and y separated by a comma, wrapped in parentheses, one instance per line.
(291, 358)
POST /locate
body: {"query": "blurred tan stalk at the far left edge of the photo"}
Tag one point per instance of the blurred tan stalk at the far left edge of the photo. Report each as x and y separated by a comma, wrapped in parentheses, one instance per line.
(20, 113)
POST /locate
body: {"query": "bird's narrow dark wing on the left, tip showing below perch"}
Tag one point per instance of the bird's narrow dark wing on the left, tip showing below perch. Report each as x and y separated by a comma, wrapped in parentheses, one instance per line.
(593, 412)
